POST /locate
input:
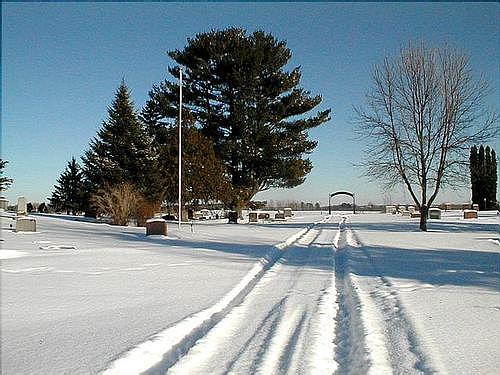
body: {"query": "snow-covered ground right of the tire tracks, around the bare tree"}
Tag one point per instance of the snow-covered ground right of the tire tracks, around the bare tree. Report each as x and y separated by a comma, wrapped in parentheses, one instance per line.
(439, 292)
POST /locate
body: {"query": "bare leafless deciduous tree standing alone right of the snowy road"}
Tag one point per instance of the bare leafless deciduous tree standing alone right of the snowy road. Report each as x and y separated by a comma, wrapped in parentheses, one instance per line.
(422, 114)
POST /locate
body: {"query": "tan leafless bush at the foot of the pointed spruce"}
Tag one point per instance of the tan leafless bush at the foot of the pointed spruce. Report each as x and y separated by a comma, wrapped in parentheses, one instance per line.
(120, 202)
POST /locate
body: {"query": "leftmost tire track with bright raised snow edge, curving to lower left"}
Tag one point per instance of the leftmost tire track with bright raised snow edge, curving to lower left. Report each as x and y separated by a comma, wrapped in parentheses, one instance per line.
(160, 352)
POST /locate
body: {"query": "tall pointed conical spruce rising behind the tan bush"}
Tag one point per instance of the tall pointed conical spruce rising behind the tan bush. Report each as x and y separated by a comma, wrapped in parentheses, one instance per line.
(122, 150)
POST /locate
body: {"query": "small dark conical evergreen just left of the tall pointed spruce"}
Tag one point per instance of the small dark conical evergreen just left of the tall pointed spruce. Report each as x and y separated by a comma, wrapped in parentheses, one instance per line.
(68, 193)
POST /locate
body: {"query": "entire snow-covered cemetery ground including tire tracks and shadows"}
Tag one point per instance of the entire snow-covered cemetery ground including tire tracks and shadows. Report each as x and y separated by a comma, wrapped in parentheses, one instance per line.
(363, 293)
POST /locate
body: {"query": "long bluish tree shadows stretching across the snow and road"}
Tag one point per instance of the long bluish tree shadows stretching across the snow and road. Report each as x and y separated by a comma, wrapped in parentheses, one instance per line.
(436, 267)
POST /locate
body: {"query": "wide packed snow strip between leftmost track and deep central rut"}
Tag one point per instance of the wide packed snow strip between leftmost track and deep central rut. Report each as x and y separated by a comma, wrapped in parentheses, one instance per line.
(269, 332)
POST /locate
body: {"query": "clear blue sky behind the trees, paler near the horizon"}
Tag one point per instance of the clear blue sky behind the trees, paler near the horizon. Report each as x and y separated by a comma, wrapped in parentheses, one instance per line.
(62, 62)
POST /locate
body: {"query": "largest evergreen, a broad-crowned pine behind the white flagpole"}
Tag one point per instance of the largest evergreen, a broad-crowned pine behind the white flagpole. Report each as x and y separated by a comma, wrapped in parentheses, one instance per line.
(239, 94)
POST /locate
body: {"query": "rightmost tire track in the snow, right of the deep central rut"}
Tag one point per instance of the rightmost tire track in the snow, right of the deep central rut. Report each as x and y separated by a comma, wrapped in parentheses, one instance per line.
(403, 348)
